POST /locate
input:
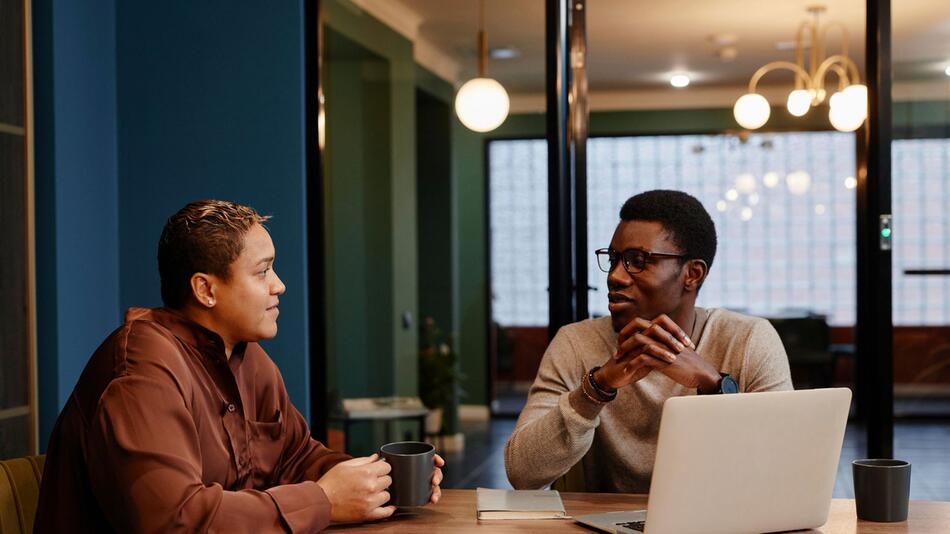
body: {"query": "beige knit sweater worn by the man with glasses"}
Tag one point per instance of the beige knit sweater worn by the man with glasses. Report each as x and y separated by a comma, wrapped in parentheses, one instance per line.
(617, 441)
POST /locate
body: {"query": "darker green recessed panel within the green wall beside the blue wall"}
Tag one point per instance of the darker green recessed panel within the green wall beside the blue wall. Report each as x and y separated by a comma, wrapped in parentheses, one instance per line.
(358, 210)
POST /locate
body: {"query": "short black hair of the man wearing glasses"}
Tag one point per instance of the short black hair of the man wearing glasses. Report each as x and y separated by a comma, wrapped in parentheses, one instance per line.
(682, 216)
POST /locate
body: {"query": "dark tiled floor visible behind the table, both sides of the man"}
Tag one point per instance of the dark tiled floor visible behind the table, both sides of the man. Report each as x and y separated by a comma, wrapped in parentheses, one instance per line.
(926, 444)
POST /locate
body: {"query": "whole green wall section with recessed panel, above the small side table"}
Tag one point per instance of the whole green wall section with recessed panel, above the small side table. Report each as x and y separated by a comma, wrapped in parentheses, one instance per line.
(370, 195)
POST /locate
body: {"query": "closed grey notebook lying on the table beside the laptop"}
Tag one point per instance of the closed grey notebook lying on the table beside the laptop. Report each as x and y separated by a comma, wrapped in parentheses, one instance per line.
(519, 504)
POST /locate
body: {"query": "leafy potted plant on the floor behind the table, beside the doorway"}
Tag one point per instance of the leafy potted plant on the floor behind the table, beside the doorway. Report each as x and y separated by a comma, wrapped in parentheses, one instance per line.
(438, 374)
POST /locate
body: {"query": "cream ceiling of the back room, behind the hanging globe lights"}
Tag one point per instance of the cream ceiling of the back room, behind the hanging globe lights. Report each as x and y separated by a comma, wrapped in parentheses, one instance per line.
(637, 44)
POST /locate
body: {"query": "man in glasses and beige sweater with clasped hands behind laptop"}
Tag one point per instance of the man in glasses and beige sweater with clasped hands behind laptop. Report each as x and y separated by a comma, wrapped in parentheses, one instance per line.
(602, 383)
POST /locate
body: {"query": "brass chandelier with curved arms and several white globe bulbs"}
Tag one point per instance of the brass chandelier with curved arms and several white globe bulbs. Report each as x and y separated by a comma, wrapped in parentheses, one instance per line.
(847, 106)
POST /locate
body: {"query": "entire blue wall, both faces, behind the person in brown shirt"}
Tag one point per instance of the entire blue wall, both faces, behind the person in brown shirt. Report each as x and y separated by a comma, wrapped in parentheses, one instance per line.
(142, 107)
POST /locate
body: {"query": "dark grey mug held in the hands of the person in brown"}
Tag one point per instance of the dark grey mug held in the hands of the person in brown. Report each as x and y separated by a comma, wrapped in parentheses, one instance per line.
(412, 468)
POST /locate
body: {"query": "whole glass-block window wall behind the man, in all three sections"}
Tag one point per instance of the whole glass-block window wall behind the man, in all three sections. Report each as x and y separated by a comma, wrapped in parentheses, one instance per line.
(784, 209)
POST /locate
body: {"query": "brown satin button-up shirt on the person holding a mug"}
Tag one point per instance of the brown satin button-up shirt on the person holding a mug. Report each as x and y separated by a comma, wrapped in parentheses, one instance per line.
(164, 433)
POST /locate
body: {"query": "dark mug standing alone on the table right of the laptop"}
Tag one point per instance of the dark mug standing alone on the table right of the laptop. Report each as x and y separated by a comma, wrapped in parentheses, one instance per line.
(881, 489)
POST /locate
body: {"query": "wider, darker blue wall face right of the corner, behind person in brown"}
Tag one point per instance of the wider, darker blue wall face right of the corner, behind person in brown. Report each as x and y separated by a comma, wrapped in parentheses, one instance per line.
(211, 105)
